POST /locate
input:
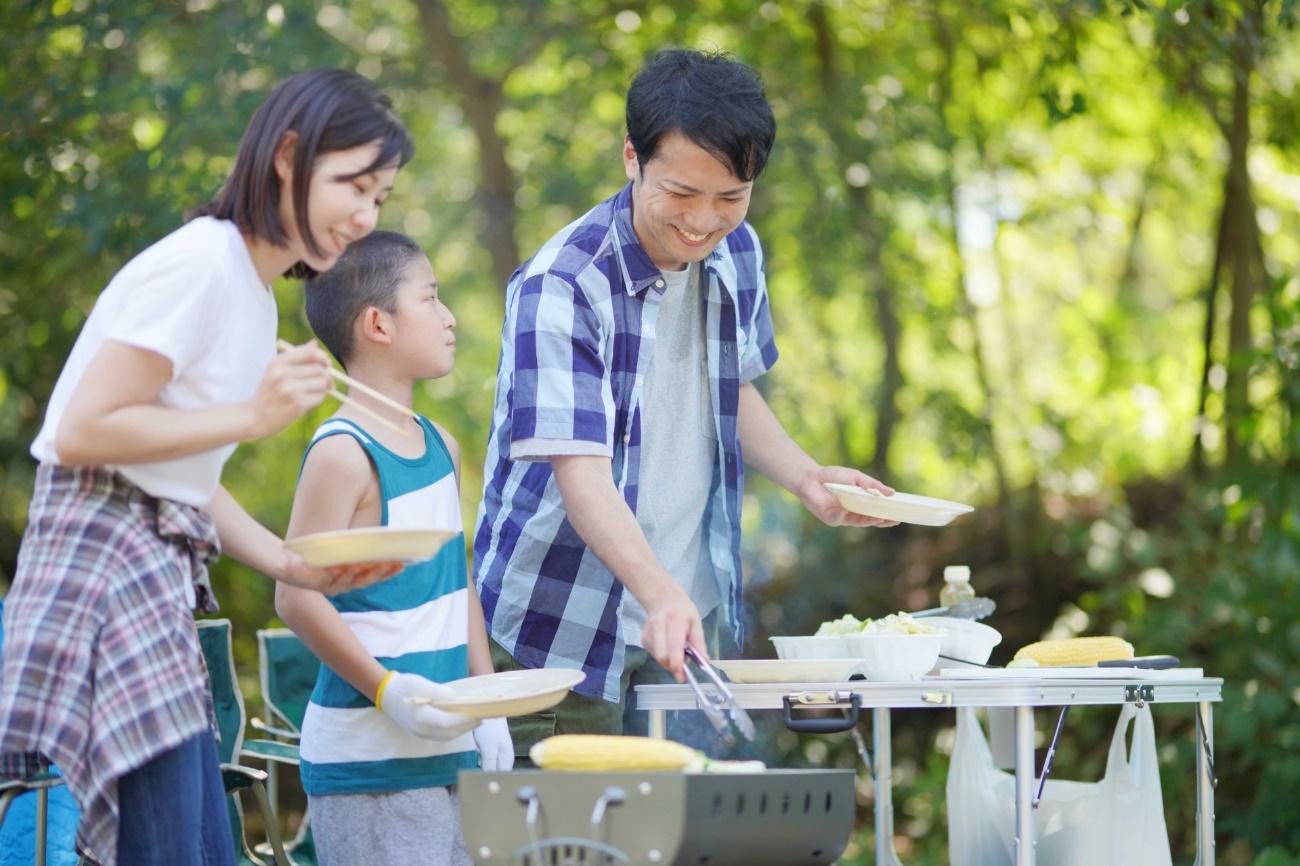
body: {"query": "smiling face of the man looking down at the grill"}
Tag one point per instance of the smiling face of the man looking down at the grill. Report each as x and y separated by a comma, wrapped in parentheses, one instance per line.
(684, 202)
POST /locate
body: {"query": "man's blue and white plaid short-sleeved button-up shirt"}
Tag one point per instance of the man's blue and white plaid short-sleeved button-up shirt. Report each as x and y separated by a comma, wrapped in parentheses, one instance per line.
(577, 344)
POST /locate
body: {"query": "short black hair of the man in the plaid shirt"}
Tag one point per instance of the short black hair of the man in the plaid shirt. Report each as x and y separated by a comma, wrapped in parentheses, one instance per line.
(712, 99)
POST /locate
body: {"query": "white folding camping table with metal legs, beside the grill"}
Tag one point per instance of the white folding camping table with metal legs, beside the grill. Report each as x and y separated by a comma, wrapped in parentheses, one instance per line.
(1022, 690)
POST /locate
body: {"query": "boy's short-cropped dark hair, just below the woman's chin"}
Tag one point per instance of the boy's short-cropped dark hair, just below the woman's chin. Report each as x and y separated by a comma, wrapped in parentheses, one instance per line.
(367, 275)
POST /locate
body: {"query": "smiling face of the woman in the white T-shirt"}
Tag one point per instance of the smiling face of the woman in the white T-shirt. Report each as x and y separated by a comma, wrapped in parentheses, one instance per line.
(341, 209)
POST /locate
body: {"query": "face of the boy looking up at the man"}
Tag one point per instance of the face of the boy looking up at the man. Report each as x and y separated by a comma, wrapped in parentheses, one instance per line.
(424, 330)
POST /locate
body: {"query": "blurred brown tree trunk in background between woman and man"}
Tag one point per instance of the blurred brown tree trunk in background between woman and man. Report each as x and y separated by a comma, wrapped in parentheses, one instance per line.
(480, 99)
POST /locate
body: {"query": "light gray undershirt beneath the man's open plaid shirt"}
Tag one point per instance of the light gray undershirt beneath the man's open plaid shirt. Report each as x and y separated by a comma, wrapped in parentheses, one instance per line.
(678, 448)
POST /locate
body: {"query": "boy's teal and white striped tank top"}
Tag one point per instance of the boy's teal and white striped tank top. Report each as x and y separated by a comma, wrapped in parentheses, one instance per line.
(415, 623)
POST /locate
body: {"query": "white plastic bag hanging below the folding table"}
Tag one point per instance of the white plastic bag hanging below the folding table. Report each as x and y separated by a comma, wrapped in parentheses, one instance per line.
(1113, 822)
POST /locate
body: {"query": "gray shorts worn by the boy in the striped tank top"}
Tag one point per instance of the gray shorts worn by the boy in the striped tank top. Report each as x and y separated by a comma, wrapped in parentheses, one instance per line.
(419, 826)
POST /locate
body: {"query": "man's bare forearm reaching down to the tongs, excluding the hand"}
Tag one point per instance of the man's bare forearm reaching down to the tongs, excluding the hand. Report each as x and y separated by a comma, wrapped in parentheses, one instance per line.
(605, 522)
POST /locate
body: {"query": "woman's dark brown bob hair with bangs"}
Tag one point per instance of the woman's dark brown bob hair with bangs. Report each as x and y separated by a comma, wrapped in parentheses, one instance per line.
(328, 110)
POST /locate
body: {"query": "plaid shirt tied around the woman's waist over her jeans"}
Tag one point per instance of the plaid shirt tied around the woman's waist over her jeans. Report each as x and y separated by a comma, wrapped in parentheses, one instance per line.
(102, 663)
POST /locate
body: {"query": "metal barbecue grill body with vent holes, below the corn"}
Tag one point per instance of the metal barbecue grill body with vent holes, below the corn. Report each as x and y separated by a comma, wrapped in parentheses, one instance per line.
(557, 819)
